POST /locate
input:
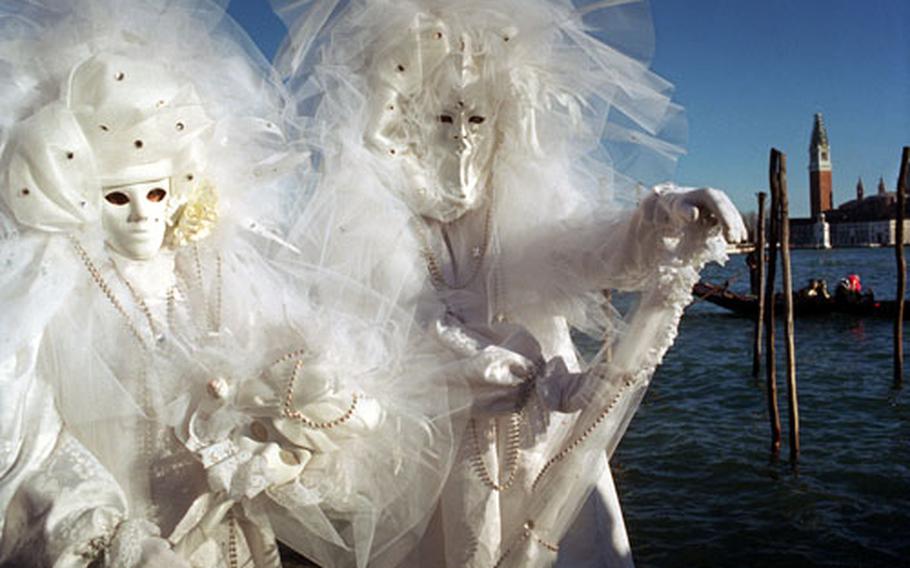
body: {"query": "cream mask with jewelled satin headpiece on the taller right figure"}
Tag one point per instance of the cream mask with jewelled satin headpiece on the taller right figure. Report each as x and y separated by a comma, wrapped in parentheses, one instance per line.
(437, 117)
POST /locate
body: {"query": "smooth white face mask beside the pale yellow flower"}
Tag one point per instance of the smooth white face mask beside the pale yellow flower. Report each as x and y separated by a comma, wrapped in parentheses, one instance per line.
(134, 217)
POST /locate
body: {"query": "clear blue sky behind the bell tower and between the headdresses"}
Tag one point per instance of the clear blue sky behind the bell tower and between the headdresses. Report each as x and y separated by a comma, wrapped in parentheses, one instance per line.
(752, 74)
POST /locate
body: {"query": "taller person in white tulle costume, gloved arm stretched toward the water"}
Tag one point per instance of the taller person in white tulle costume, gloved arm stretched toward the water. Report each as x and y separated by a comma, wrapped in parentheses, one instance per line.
(472, 132)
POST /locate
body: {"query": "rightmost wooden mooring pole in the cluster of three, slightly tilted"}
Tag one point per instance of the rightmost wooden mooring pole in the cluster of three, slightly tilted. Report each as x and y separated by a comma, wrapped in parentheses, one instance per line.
(787, 285)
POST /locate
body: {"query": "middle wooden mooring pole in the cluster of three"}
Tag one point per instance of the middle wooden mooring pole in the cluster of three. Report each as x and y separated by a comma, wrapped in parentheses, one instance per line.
(770, 369)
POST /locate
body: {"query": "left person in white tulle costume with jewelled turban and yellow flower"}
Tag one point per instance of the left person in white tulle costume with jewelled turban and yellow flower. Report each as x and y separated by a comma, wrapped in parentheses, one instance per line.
(178, 383)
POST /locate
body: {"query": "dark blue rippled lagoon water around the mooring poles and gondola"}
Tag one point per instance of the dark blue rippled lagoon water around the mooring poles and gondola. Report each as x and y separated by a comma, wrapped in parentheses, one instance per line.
(694, 474)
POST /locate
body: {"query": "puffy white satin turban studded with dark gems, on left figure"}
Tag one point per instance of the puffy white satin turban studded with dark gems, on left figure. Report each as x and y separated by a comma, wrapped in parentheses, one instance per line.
(122, 120)
